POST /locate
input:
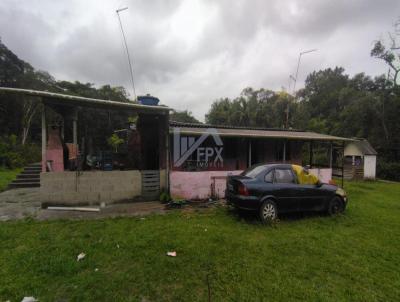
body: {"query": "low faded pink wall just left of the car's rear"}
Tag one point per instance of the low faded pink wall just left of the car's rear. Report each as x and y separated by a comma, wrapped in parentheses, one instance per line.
(197, 185)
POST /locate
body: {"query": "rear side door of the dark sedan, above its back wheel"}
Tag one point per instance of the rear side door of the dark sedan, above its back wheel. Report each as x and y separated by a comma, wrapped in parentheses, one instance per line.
(285, 190)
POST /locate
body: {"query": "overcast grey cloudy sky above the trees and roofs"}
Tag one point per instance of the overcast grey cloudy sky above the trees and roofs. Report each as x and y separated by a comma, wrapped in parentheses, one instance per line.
(189, 53)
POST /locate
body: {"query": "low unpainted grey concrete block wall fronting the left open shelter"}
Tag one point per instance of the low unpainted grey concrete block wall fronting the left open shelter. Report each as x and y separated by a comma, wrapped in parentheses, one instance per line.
(90, 187)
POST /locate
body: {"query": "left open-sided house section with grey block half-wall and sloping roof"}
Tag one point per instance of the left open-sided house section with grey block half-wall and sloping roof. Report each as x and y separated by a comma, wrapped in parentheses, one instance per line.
(79, 165)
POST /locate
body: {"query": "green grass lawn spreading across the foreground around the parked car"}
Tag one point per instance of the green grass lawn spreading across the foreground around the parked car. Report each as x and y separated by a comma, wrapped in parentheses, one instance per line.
(354, 257)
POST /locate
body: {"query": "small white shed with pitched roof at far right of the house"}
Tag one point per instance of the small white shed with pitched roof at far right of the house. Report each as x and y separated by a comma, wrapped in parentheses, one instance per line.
(360, 160)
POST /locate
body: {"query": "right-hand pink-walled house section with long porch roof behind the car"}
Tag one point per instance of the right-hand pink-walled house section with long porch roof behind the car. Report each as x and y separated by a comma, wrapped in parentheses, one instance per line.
(202, 156)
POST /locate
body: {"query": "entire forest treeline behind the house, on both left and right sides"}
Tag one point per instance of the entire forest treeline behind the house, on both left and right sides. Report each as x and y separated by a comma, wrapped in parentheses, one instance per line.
(331, 102)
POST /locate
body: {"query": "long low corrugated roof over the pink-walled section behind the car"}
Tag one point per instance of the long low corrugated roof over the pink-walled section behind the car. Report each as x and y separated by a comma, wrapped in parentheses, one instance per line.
(226, 131)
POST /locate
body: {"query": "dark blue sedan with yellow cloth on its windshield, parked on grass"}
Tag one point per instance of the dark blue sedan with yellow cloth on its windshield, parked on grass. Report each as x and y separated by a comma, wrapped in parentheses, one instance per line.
(272, 189)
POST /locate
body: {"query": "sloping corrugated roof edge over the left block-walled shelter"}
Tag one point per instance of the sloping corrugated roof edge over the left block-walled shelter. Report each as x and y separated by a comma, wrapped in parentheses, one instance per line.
(71, 100)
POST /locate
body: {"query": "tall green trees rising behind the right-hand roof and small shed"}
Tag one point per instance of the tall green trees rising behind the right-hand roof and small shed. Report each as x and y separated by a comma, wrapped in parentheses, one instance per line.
(331, 102)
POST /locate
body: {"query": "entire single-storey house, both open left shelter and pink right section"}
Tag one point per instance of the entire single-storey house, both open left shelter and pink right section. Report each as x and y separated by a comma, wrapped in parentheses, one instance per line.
(135, 152)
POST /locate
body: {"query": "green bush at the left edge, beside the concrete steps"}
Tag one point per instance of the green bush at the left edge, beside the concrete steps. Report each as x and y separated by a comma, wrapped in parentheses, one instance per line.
(15, 155)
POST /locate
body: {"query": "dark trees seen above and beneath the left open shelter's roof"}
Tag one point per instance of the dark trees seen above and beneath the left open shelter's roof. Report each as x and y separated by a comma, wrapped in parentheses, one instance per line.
(21, 117)
